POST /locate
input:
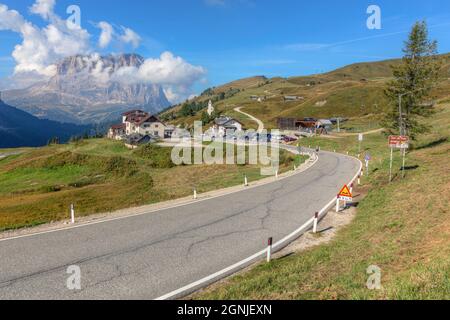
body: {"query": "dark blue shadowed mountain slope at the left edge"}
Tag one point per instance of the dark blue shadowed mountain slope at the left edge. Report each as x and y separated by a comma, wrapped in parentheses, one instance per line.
(20, 129)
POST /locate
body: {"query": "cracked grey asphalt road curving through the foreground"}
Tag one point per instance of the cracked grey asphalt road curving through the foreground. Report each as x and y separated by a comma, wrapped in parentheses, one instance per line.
(147, 256)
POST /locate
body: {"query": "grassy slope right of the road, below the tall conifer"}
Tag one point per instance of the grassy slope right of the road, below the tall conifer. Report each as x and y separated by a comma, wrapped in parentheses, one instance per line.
(401, 227)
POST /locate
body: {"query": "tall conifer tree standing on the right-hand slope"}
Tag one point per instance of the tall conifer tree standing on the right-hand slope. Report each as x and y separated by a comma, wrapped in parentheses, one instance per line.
(413, 81)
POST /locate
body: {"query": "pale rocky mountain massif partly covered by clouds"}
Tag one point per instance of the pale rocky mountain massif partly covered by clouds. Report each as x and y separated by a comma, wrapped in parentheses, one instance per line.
(83, 91)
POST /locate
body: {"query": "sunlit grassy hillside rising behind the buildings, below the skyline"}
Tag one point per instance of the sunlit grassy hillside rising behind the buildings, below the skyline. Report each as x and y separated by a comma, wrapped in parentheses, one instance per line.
(353, 91)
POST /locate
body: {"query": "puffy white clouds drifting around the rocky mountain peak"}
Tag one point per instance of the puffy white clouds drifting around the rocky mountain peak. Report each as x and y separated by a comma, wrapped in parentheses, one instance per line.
(41, 48)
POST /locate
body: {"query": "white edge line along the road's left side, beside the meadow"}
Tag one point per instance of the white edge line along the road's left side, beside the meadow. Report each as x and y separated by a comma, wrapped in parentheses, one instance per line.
(87, 224)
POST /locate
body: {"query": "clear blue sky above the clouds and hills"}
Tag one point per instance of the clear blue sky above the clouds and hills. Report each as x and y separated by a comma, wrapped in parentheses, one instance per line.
(232, 39)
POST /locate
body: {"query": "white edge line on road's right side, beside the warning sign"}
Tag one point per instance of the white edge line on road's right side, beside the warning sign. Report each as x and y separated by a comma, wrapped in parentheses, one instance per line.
(238, 266)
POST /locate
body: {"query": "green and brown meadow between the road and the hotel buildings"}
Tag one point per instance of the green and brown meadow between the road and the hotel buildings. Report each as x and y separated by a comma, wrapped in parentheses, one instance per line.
(100, 175)
